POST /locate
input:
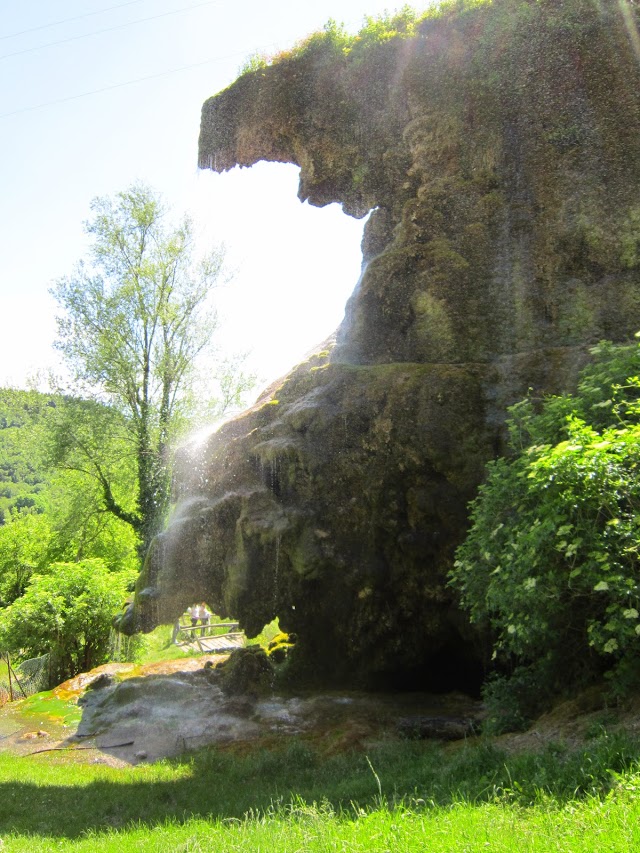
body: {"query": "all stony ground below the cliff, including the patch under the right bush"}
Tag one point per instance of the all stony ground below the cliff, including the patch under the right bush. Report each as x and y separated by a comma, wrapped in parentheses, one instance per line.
(123, 714)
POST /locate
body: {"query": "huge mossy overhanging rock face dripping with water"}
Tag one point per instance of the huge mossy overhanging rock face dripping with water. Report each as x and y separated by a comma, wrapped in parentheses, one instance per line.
(500, 153)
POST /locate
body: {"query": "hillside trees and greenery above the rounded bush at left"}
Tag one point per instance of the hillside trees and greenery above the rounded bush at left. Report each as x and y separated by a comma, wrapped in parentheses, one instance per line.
(60, 516)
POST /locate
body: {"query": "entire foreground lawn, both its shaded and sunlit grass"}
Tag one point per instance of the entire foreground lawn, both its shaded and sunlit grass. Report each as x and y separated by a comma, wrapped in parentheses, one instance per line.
(297, 796)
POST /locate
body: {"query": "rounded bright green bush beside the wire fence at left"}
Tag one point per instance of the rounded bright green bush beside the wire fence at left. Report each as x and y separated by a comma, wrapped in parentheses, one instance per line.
(66, 611)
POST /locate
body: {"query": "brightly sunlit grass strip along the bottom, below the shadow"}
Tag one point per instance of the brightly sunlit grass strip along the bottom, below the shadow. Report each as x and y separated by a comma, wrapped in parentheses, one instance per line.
(305, 829)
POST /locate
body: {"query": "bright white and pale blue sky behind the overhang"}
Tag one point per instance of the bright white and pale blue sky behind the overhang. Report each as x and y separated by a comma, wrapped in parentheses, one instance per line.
(97, 94)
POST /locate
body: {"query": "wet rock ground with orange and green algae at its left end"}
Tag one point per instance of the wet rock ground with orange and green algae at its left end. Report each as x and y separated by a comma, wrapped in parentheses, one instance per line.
(145, 718)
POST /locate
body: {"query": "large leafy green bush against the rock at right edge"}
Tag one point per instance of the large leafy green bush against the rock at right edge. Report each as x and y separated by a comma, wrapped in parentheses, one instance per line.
(550, 564)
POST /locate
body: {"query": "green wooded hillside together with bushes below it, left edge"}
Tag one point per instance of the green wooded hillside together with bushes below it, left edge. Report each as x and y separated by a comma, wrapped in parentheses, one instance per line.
(65, 562)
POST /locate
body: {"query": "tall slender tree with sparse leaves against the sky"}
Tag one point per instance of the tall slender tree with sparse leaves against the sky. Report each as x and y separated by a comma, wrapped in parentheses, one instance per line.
(136, 319)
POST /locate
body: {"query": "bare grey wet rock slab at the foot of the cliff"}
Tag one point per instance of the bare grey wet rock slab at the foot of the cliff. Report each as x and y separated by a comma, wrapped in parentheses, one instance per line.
(169, 715)
